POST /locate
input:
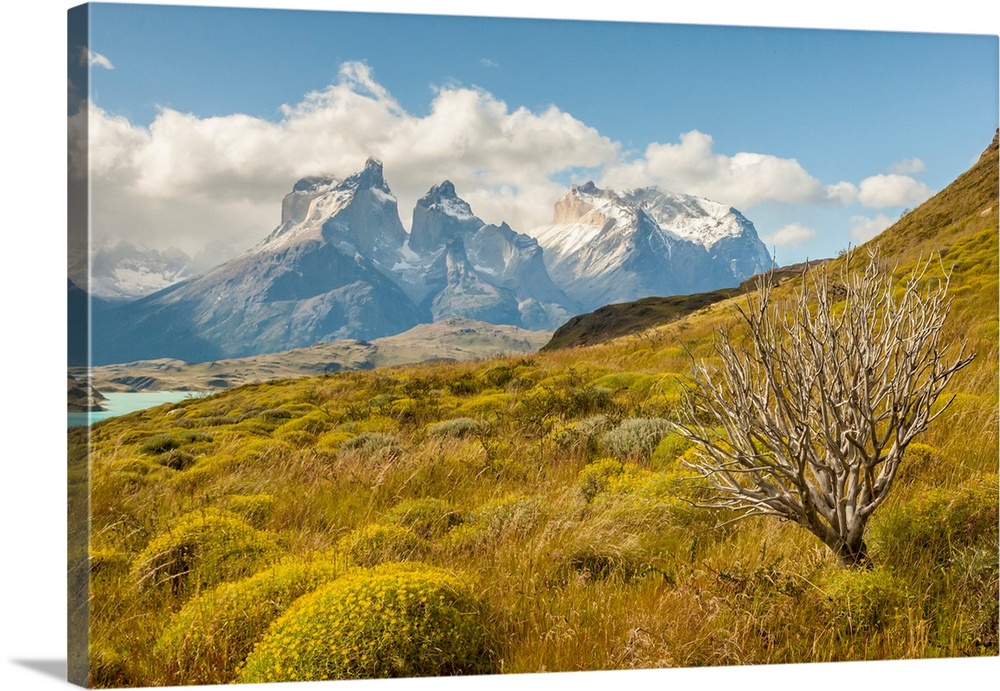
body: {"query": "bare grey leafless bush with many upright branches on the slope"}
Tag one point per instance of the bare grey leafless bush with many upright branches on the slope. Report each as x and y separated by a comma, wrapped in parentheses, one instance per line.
(809, 414)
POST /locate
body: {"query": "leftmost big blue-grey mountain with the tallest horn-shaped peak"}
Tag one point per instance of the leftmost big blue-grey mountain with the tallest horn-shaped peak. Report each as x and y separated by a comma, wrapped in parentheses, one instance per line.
(319, 276)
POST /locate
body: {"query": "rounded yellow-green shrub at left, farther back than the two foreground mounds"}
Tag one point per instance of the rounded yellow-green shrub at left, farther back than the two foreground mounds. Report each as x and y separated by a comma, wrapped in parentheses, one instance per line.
(202, 549)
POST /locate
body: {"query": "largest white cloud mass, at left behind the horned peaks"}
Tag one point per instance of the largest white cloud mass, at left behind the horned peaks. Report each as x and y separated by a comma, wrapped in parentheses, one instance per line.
(230, 172)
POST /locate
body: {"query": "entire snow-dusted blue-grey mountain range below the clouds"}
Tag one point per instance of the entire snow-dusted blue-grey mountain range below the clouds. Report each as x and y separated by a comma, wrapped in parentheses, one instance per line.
(341, 265)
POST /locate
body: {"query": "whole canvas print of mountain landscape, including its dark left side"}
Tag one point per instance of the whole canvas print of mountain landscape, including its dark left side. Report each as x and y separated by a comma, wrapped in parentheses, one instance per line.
(412, 346)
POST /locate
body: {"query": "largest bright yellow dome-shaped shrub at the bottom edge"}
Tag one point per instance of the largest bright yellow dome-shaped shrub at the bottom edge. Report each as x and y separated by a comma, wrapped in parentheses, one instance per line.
(399, 620)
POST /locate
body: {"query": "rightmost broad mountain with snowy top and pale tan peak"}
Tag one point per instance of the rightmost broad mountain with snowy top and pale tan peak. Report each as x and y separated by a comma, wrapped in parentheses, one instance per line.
(603, 247)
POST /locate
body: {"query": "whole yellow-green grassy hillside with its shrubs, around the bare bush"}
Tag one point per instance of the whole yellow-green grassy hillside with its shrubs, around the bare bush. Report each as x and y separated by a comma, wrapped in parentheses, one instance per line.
(541, 512)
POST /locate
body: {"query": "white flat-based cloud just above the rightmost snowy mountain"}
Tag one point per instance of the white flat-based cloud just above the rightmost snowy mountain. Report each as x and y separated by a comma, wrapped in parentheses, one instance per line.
(743, 179)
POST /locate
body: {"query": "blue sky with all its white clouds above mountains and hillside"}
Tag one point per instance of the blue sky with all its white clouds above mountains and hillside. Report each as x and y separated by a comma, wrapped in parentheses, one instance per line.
(820, 137)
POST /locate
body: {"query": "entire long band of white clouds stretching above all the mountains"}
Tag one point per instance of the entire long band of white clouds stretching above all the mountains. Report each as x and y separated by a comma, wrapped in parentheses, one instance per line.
(184, 178)
